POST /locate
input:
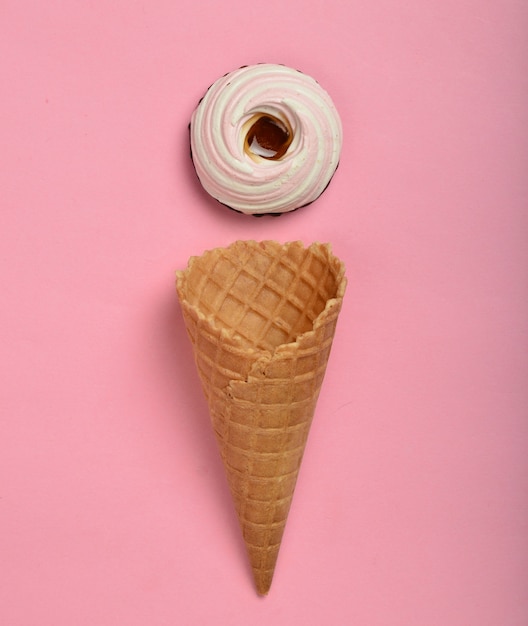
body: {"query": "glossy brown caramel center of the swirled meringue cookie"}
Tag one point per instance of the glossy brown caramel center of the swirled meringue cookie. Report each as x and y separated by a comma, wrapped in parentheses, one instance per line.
(267, 137)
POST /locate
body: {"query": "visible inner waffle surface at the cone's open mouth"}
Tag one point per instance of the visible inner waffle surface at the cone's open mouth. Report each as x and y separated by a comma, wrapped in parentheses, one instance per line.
(265, 294)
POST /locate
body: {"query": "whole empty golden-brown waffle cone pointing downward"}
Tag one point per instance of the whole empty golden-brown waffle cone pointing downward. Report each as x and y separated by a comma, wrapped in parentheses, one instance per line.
(261, 317)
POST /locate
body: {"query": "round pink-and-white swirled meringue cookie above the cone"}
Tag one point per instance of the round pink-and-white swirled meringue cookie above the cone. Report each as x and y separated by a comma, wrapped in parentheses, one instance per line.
(265, 139)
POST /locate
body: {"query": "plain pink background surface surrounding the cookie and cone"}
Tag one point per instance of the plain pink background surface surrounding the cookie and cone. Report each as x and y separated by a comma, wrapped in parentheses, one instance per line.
(412, 503)
